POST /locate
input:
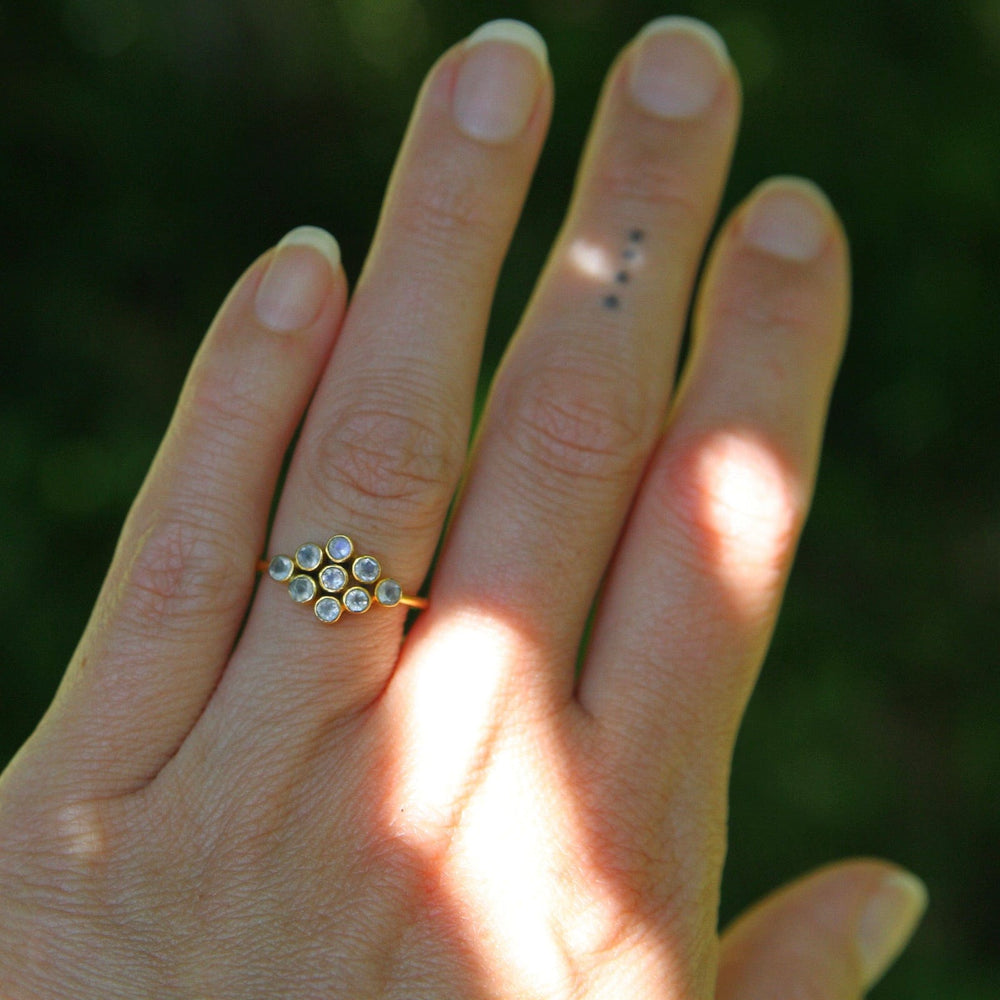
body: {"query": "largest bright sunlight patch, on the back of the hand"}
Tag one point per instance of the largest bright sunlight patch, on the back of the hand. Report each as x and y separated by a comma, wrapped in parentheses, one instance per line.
(485, 793)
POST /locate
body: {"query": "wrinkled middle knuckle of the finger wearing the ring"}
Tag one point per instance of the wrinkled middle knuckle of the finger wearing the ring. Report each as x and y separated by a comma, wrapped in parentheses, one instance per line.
(401, 455)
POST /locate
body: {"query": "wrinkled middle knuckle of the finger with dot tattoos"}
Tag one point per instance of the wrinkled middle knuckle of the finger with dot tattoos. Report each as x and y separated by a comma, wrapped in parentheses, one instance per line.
(578, 424)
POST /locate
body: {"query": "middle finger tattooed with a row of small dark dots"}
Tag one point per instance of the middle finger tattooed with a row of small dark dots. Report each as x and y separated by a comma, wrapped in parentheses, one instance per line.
(581, 396)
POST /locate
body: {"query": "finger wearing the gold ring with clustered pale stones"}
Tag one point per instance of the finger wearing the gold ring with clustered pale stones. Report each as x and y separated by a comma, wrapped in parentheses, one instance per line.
(384, 440)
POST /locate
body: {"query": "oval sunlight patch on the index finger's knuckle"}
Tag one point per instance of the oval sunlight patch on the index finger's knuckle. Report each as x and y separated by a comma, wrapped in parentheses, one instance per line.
(748, 516)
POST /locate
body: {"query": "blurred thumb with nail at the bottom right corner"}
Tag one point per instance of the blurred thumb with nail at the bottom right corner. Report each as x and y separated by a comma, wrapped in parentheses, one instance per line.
(827, 936)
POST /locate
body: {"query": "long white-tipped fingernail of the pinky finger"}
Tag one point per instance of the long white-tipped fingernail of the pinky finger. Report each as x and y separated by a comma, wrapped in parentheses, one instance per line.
(292, 291)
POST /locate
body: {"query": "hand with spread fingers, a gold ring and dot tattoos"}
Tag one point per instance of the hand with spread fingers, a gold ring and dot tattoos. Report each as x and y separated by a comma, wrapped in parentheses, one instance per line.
(230, 799)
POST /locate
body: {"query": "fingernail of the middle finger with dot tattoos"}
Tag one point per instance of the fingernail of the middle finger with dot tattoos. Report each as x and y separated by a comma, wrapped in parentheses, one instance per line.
(678, 68)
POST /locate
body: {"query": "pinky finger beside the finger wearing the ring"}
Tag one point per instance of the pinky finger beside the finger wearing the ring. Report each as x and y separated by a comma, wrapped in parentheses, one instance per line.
(183, 572)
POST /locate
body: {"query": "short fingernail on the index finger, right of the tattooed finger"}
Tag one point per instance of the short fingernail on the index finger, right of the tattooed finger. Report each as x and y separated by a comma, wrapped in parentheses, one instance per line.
(789, 218)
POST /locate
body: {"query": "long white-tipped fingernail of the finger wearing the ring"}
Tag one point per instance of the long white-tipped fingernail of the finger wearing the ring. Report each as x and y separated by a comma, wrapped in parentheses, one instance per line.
(499, 81)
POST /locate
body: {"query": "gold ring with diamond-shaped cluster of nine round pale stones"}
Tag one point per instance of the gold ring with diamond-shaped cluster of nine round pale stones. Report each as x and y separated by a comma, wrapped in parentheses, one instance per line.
(333, 580)
